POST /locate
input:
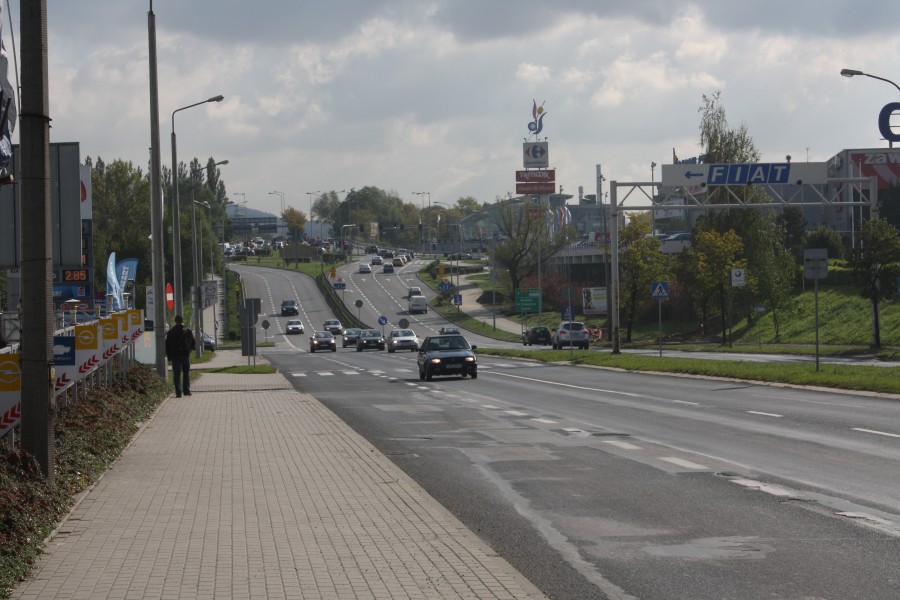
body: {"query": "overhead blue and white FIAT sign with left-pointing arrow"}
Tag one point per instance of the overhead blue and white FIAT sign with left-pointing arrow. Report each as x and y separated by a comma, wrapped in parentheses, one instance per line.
(744, 174)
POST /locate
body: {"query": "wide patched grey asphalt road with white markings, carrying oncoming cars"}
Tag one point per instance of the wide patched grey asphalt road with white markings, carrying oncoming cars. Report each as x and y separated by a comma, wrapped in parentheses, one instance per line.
(603, 484)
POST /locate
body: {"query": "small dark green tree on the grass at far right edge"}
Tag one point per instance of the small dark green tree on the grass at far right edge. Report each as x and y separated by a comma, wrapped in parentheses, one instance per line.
(876, 264)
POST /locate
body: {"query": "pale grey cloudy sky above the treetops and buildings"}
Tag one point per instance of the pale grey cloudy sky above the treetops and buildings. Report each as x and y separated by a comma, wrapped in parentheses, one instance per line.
(436, 96)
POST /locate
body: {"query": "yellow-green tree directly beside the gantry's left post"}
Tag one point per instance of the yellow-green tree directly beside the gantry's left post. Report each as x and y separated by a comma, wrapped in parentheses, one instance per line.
(640, 262)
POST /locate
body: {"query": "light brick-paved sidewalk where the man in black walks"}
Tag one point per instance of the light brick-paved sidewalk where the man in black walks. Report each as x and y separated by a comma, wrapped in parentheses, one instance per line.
(249, 489)
